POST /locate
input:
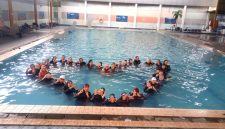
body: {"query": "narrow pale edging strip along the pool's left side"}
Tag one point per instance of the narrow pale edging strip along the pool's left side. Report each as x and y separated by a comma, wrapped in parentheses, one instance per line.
(30, 44)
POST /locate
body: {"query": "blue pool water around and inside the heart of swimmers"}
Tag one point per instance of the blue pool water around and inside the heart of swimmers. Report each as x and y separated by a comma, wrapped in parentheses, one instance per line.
(197, 74)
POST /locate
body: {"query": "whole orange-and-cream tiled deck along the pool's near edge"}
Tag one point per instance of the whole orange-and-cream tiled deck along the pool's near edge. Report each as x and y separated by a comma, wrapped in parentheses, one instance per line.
(127, 117)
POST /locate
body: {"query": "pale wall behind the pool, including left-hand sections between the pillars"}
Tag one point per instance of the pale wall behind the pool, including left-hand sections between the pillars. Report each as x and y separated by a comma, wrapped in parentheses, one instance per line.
(147, 16)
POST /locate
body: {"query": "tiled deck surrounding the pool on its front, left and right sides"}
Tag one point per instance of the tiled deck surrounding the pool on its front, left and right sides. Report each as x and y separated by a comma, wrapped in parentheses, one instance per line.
(86, 116)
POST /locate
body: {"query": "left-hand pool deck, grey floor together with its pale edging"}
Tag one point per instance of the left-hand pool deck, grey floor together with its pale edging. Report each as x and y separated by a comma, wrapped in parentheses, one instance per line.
(10, 46)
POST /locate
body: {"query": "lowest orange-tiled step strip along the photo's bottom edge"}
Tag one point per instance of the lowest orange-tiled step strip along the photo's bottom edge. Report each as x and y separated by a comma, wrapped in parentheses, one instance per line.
(107, 123)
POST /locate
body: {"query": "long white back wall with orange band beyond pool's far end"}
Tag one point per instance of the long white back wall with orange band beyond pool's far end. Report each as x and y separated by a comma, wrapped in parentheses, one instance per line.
(138, 16)
